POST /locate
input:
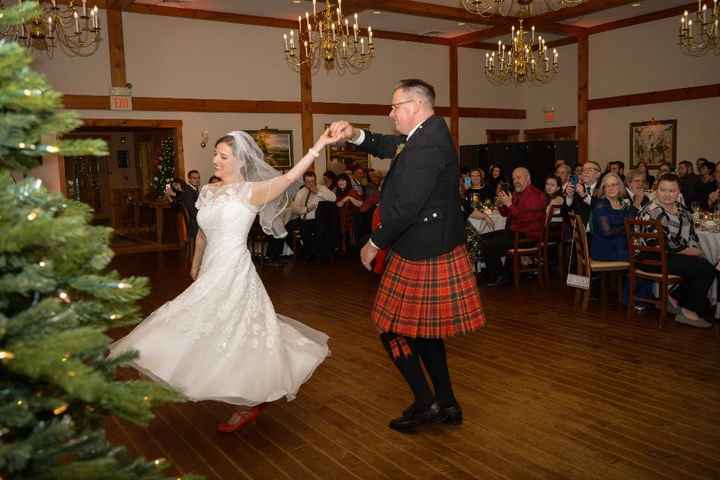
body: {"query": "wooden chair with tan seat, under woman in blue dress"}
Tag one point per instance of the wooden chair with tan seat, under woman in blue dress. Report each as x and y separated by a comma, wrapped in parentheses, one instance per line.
(586, 266)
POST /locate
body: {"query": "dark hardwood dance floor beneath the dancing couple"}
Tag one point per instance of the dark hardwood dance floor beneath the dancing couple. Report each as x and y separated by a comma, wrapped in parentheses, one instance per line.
(548, 393)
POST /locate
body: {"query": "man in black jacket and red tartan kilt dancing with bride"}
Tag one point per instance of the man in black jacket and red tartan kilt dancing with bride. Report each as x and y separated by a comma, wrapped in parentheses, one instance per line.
(428, 290)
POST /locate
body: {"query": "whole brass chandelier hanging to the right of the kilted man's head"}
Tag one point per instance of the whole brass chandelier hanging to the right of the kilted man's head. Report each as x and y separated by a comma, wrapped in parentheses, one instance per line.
(522, 61)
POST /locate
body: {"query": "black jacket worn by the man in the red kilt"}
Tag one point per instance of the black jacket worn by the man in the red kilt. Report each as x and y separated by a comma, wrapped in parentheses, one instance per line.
(419, 202)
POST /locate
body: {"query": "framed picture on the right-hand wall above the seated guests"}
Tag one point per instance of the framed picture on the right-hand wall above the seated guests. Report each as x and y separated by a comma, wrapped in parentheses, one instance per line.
(653, 142)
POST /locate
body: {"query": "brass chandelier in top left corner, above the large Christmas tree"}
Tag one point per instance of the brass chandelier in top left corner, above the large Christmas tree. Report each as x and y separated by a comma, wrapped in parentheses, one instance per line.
(74, 28)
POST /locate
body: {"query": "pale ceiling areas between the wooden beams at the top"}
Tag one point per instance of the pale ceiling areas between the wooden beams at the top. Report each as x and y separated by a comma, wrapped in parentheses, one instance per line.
(402, 23)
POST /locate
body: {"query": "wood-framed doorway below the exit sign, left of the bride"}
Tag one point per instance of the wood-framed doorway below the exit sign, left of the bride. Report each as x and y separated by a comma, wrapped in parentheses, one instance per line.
(120, 187)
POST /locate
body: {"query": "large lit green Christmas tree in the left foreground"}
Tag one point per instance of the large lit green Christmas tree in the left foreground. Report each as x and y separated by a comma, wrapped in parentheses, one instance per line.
(57, 299)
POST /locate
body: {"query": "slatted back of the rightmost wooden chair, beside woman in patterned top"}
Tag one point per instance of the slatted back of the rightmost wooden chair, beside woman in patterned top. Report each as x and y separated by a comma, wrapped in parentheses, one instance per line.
(647, 246)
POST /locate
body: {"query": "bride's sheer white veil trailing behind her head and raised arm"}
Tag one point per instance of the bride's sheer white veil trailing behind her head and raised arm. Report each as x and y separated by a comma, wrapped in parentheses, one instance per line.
(249, 163)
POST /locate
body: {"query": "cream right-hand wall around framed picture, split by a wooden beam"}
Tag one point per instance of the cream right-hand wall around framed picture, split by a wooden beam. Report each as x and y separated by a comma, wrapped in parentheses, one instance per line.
(645, 58)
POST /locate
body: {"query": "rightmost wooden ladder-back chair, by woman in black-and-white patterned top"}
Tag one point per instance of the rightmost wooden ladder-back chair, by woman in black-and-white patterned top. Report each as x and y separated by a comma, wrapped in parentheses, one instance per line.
(648, 248)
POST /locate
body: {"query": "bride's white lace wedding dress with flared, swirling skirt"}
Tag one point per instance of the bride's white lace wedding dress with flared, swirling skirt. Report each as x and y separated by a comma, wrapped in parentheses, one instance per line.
(221, 339)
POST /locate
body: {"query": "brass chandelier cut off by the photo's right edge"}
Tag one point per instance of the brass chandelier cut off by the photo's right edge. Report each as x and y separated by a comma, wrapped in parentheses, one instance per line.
(702, 35)
